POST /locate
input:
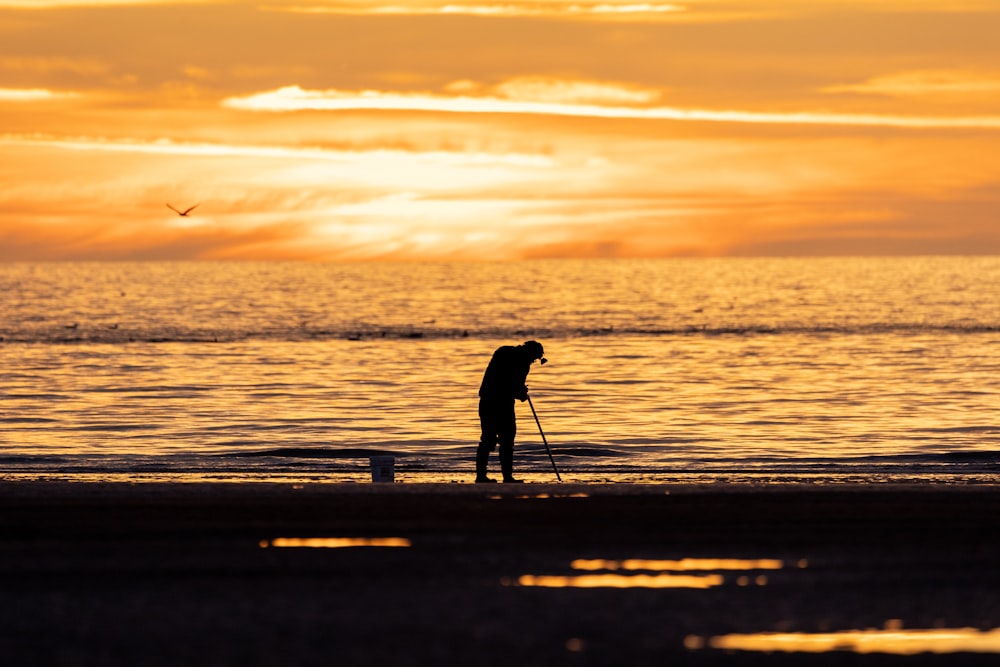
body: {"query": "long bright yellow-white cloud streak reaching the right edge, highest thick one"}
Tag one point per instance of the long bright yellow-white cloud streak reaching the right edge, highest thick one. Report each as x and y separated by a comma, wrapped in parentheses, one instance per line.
(295, 98)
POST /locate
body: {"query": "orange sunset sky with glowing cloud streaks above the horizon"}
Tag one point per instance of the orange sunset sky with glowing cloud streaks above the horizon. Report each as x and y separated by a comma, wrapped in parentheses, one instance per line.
(459, 130)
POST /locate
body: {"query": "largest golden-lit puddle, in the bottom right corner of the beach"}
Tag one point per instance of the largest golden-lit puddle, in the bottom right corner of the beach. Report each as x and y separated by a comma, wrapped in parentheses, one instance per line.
(892, 641)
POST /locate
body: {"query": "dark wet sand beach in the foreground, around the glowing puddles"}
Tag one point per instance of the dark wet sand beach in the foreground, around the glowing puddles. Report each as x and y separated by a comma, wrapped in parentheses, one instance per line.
(175, 574)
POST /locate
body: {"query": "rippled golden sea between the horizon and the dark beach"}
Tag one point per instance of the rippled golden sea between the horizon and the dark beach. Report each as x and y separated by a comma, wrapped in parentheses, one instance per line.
(697, 370)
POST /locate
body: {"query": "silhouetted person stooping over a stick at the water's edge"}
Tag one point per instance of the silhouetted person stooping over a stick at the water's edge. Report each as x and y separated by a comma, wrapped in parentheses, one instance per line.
(503, 381)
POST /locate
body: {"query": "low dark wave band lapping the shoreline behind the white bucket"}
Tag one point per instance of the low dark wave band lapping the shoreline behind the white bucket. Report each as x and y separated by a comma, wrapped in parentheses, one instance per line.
(590, 459)
